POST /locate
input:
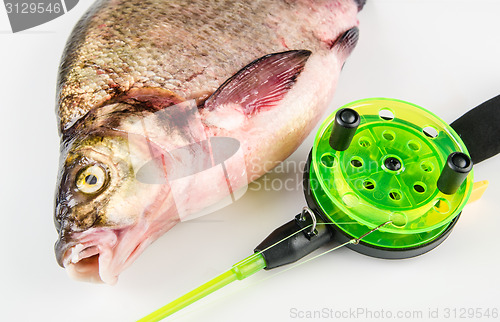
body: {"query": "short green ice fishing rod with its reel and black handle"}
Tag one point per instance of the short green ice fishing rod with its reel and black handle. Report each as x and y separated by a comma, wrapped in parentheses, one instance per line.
(385, 178)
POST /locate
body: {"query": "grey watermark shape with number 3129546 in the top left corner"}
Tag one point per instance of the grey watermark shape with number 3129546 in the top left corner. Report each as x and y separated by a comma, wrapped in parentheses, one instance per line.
(25, 14)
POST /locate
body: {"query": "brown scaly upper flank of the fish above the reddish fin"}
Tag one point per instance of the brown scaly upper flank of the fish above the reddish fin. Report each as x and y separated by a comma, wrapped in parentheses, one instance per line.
(121, 45)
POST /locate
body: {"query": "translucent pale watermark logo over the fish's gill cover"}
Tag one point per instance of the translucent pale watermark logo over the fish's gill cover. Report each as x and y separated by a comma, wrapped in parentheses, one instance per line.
(202, 173)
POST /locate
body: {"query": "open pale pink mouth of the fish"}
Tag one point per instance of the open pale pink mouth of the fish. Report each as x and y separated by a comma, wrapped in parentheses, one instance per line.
(99, 255)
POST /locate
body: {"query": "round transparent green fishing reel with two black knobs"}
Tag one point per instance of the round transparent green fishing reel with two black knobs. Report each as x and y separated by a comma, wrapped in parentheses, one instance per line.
(392, 163)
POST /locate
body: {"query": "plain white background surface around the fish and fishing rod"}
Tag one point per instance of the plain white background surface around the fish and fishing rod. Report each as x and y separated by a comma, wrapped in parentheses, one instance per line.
(442, 55)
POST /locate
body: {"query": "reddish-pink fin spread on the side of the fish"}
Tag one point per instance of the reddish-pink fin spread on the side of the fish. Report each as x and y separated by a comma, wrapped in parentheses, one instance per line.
(262, 83)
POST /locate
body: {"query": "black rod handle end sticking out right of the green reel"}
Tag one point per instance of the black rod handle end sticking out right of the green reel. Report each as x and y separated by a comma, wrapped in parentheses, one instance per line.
(480, 130)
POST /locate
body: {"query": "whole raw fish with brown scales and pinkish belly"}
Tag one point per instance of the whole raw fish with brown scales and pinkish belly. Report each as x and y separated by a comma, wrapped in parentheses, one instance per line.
(168, 107)
